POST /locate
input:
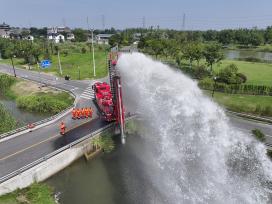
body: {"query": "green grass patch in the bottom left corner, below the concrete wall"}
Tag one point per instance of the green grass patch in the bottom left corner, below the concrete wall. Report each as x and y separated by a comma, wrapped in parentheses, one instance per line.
(37, 193)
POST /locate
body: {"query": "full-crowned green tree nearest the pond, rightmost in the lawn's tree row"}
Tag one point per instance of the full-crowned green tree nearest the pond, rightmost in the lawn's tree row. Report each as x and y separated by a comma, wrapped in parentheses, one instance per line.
(212, 53)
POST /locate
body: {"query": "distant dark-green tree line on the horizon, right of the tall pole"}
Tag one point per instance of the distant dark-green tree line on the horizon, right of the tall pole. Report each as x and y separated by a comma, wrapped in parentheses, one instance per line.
(243, 37)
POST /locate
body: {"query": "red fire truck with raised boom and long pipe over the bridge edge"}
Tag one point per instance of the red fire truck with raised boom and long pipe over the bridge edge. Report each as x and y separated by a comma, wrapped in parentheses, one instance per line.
(109, 96)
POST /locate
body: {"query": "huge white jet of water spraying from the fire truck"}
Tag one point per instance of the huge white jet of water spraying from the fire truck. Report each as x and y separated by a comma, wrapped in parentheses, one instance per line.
(199, 157)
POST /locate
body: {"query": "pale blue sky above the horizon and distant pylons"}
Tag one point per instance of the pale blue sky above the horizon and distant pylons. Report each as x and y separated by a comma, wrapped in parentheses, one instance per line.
(200, 14)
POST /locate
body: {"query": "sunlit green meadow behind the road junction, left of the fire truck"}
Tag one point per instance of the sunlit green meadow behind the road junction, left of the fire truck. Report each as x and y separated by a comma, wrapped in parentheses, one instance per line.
(71, 64)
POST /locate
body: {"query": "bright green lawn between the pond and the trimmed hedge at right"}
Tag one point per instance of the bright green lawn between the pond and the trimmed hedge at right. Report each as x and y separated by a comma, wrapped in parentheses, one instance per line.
(257, 73)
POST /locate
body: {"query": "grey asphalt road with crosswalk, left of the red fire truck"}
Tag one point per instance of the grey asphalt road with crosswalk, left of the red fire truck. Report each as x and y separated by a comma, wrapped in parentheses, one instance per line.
(26, 148)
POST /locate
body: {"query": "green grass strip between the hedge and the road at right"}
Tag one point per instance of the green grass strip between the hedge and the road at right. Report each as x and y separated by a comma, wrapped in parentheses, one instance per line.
(259, 105)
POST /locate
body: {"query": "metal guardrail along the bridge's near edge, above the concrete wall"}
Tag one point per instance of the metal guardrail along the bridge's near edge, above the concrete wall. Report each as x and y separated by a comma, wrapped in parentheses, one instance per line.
(50, 155)
